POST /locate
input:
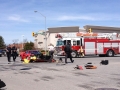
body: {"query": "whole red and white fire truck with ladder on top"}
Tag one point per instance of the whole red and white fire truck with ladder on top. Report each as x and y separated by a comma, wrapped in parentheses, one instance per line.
(92, 43)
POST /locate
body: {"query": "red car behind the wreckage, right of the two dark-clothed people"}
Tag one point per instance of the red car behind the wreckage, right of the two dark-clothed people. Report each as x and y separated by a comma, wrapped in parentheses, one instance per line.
(27, 53)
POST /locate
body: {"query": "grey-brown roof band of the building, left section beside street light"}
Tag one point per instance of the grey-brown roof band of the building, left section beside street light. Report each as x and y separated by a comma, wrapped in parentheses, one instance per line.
(63, 29)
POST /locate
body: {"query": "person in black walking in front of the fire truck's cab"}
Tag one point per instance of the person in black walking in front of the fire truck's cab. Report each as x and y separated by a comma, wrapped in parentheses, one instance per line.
(68, 52)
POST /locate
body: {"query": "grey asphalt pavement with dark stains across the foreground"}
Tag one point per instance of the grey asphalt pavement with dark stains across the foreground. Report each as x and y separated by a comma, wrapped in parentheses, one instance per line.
(49, 76)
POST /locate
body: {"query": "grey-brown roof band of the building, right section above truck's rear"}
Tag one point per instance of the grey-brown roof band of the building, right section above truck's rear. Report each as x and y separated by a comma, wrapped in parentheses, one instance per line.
(102, 29)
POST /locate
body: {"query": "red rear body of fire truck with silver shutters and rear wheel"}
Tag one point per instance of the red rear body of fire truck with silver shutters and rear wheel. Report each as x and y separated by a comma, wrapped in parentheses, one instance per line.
(101, 49)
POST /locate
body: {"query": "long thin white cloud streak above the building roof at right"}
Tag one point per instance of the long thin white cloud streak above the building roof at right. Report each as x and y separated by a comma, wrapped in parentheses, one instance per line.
(89, 17)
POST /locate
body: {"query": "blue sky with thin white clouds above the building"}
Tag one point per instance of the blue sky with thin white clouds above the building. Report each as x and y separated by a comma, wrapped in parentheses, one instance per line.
(17, 17)
